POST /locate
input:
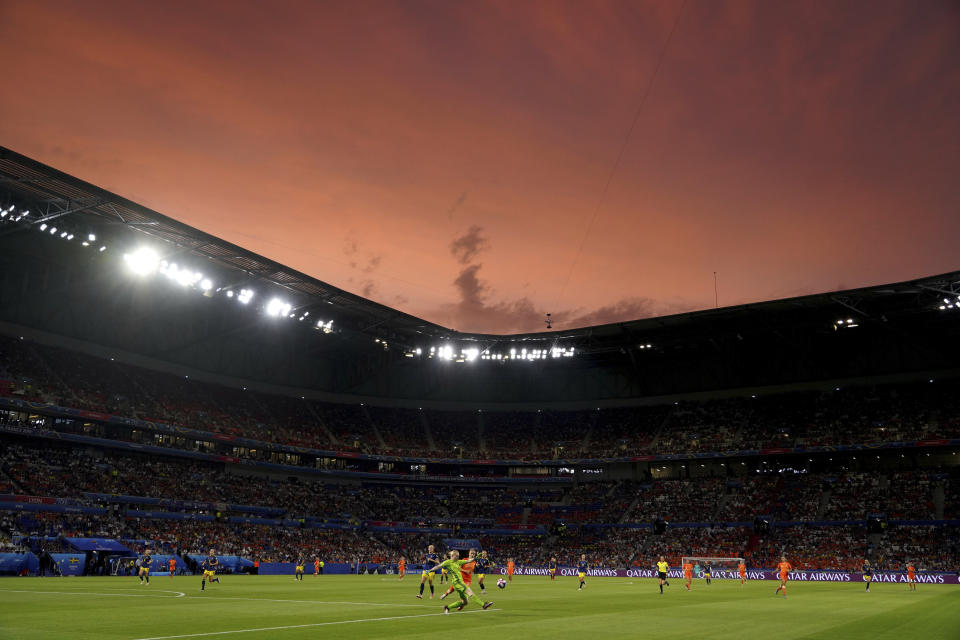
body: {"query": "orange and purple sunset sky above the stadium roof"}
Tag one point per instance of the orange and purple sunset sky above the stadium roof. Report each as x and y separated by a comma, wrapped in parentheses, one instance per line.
(450, 158)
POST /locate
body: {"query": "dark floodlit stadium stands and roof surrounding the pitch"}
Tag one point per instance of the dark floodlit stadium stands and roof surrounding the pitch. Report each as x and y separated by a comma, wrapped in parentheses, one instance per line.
(226, 401)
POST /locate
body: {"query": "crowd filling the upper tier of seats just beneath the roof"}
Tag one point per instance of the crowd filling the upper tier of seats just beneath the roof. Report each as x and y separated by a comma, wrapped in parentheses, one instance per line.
(848, 415)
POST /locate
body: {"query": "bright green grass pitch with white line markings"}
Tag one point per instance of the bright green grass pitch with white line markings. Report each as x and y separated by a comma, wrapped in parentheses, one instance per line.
(358, 607)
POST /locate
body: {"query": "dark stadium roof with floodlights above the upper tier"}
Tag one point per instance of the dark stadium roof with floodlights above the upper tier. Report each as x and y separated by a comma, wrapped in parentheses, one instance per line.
(635, 355)
